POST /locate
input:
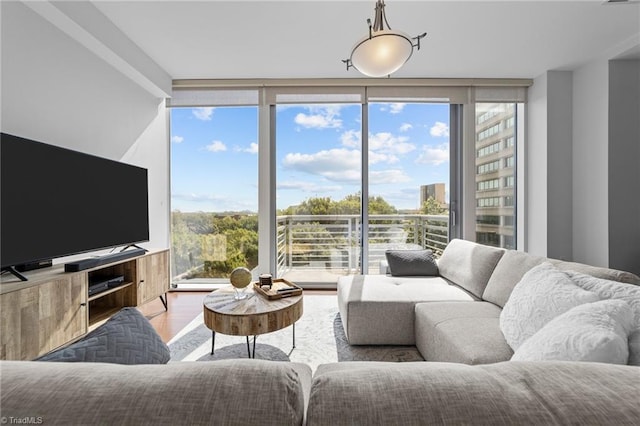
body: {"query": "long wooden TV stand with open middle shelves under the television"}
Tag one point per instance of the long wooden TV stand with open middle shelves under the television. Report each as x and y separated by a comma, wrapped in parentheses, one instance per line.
(54, 308)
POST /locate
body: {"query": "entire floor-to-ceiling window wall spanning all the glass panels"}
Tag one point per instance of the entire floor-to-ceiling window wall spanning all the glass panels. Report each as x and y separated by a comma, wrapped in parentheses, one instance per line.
(339, 174)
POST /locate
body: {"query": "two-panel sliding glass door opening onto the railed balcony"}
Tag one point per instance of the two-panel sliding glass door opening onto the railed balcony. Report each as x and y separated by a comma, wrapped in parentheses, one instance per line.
(321, 185)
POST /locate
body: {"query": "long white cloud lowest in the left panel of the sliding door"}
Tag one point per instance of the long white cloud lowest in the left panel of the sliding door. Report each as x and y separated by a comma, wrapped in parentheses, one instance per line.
(338, 165)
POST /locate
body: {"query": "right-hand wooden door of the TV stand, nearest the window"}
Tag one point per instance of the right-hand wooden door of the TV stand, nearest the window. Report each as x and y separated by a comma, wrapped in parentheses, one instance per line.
(153, 276)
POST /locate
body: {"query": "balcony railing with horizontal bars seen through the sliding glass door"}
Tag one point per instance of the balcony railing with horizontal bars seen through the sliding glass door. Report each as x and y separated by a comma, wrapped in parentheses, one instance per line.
(331, 242)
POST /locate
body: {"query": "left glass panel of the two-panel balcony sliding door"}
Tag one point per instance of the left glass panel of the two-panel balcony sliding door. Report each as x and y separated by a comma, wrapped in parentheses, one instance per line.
(318, 179)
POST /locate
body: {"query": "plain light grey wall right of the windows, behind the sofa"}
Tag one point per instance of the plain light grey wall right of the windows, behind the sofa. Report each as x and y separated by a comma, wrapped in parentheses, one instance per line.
(601, 163)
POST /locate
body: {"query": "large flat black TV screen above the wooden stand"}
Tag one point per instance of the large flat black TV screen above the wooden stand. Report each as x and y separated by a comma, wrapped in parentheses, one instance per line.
(57, 202)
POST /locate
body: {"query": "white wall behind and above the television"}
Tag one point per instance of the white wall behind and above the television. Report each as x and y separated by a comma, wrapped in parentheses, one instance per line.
(57, 91)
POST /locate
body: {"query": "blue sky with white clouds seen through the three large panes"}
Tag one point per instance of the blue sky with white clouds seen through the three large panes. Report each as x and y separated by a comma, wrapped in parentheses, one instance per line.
(214, 154)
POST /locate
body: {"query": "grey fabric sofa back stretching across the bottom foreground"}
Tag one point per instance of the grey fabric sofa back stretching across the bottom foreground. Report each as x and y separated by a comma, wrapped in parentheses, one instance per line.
(256, 392)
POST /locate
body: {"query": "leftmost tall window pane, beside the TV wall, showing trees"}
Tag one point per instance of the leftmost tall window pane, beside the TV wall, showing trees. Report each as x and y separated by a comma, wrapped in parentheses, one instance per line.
(214, 196)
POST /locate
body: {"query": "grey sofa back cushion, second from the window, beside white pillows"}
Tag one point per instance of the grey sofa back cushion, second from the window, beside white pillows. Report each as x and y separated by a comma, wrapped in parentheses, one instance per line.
(508, 272)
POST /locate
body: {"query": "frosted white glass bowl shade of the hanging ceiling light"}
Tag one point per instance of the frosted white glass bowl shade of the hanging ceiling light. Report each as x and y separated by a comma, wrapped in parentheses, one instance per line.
(382, 54)
